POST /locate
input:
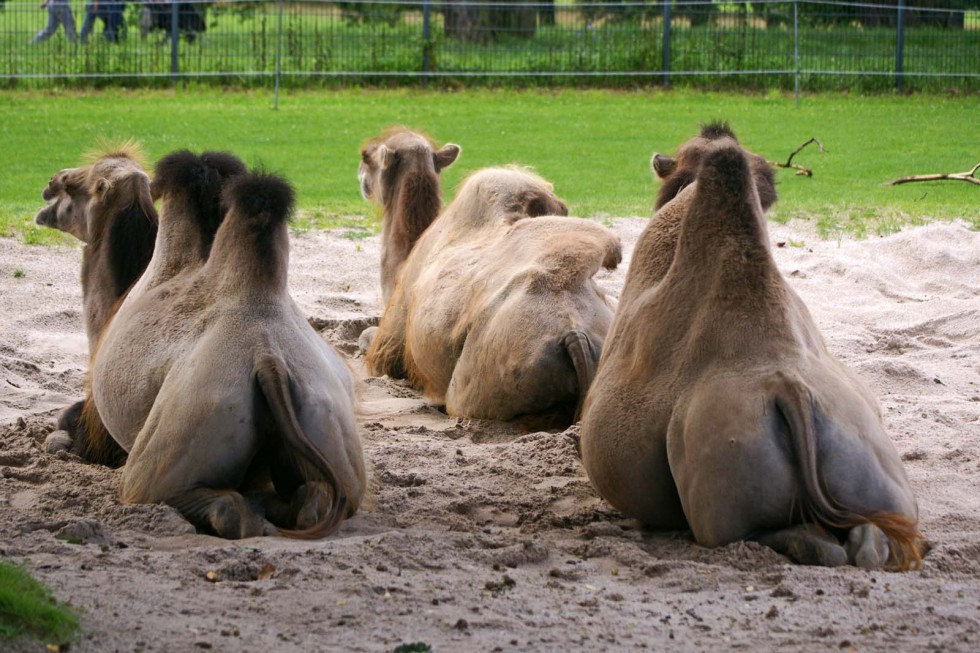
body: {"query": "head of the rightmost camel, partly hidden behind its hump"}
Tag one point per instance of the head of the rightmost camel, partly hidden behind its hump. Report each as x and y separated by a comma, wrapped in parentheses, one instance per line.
(679, 172)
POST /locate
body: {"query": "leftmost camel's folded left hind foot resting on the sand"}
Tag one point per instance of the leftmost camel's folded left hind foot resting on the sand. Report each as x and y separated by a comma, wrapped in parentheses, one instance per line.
(225, 512)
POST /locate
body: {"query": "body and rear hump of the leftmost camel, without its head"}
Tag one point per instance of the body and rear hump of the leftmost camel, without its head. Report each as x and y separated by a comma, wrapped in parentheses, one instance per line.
(217, 386)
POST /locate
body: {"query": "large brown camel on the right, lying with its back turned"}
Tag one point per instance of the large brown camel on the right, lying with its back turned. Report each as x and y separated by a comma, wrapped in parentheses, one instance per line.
(716, 405)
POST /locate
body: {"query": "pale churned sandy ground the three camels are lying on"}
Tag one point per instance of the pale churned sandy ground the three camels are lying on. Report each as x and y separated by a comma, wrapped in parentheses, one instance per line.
(479, 537)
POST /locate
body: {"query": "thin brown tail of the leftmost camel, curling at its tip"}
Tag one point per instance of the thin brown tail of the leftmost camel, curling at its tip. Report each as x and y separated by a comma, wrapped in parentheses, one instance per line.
(274, 383)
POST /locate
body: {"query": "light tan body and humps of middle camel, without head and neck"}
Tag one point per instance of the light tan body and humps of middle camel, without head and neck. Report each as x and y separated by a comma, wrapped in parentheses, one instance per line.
(495, 313)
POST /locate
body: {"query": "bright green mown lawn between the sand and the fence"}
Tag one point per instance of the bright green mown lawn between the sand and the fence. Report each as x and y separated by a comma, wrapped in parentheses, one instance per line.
(594, 145)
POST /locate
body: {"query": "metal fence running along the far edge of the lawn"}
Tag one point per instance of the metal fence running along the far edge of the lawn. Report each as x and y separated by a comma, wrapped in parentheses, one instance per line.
(808, 45)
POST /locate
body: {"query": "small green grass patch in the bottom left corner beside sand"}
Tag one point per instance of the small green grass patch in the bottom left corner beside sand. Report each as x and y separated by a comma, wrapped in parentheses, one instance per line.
(27, 608)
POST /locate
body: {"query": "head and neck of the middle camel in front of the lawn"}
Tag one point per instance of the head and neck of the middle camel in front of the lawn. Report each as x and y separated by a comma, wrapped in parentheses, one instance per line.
(400, 171)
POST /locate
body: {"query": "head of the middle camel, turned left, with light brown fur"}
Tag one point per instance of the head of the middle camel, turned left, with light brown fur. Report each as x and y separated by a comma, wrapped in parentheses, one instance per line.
(397, 155)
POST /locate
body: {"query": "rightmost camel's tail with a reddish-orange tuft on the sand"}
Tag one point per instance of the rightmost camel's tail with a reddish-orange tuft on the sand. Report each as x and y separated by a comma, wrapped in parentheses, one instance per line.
(905, 541)
